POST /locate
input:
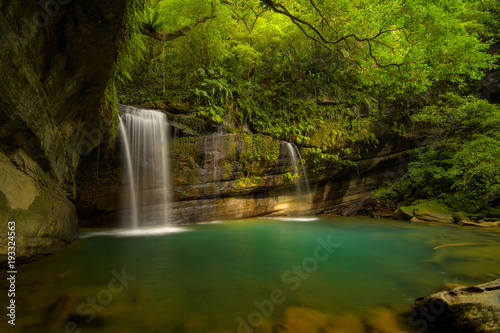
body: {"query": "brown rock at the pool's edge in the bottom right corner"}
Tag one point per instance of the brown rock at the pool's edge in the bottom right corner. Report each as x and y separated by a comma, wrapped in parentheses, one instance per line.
(463, 309)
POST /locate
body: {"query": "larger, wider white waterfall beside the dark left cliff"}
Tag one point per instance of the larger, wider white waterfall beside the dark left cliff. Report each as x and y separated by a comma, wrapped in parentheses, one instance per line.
(144, 135)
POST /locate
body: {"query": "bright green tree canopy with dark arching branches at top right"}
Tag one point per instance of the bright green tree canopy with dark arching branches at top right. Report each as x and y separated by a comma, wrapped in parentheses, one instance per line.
(420, 42)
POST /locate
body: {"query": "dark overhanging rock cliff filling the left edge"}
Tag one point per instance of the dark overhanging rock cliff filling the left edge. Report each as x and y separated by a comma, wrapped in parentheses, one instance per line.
(55, 58)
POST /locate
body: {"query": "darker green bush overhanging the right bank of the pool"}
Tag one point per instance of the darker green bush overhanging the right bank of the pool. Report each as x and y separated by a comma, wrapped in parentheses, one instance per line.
(462, 168)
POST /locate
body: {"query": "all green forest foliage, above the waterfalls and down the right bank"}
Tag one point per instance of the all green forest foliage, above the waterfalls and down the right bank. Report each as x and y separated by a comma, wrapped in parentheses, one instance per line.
(317, 73)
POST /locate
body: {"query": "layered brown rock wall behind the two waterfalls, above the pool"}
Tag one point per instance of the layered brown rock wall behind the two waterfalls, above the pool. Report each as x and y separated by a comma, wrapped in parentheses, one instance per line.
(222, 176)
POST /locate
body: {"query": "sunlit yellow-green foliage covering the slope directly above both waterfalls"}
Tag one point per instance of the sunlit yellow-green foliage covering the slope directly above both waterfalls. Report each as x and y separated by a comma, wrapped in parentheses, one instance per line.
(300, 77)
